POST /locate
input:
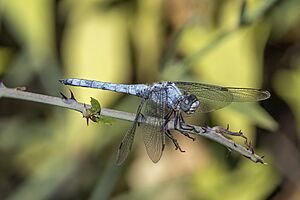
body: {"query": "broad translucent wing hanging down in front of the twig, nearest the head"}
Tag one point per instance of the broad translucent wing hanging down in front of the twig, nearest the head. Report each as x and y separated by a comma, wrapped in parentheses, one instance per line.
(153, 133)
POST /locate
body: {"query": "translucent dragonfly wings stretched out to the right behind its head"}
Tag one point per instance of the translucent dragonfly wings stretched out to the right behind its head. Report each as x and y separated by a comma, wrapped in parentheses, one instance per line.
(214, 97)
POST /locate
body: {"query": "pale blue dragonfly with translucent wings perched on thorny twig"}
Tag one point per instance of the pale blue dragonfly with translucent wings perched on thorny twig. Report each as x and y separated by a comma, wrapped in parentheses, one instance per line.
(168, 100)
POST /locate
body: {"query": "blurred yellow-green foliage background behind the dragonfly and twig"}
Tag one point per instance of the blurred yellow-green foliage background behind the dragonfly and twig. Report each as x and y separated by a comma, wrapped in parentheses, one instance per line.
(49, 153)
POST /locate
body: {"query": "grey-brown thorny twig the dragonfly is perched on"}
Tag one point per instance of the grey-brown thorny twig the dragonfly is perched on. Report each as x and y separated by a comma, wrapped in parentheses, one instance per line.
(217, 133)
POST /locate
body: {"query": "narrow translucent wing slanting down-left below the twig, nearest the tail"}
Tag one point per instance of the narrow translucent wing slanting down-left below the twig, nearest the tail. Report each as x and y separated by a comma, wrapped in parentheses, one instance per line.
(126, 144)
